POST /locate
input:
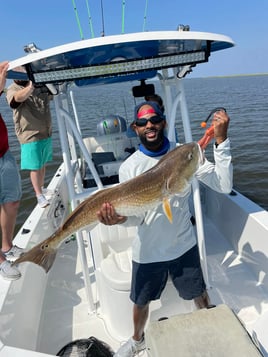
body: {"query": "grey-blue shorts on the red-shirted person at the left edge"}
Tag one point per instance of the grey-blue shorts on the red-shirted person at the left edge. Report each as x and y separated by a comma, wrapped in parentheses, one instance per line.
(10, 181)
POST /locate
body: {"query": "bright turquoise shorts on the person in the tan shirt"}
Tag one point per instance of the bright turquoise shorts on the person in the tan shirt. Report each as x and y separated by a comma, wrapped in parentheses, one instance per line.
(36, 154)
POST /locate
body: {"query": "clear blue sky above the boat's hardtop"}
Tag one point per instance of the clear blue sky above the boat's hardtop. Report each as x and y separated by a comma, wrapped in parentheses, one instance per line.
(52, 23)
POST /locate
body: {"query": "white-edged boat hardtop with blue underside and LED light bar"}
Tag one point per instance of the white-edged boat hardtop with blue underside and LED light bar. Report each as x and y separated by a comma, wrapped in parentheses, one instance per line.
(117, 58)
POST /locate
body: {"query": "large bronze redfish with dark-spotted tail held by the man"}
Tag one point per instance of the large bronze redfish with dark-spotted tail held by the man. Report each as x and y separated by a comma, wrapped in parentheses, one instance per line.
(169, 176)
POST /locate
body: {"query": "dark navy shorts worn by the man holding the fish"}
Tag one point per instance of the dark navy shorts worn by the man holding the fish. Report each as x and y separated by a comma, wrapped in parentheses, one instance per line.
(149, 280)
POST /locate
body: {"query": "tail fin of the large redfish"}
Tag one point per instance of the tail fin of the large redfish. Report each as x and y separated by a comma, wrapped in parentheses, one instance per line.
(42, 254)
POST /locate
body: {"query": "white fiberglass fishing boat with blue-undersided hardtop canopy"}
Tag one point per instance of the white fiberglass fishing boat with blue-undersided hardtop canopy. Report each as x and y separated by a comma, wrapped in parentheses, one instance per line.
(86, 292)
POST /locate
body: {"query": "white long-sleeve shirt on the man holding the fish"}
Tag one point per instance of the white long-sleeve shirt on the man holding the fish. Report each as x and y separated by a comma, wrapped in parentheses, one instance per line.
(157, 239)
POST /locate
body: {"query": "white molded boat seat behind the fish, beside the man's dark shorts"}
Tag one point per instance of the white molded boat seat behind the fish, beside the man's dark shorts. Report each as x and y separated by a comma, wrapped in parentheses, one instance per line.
(112, 247)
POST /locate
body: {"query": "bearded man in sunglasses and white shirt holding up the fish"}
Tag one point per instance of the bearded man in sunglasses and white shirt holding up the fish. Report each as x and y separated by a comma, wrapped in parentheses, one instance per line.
(161, 249)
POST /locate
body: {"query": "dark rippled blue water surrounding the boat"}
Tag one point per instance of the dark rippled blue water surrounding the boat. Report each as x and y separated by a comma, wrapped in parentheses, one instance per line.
(245, 99)
